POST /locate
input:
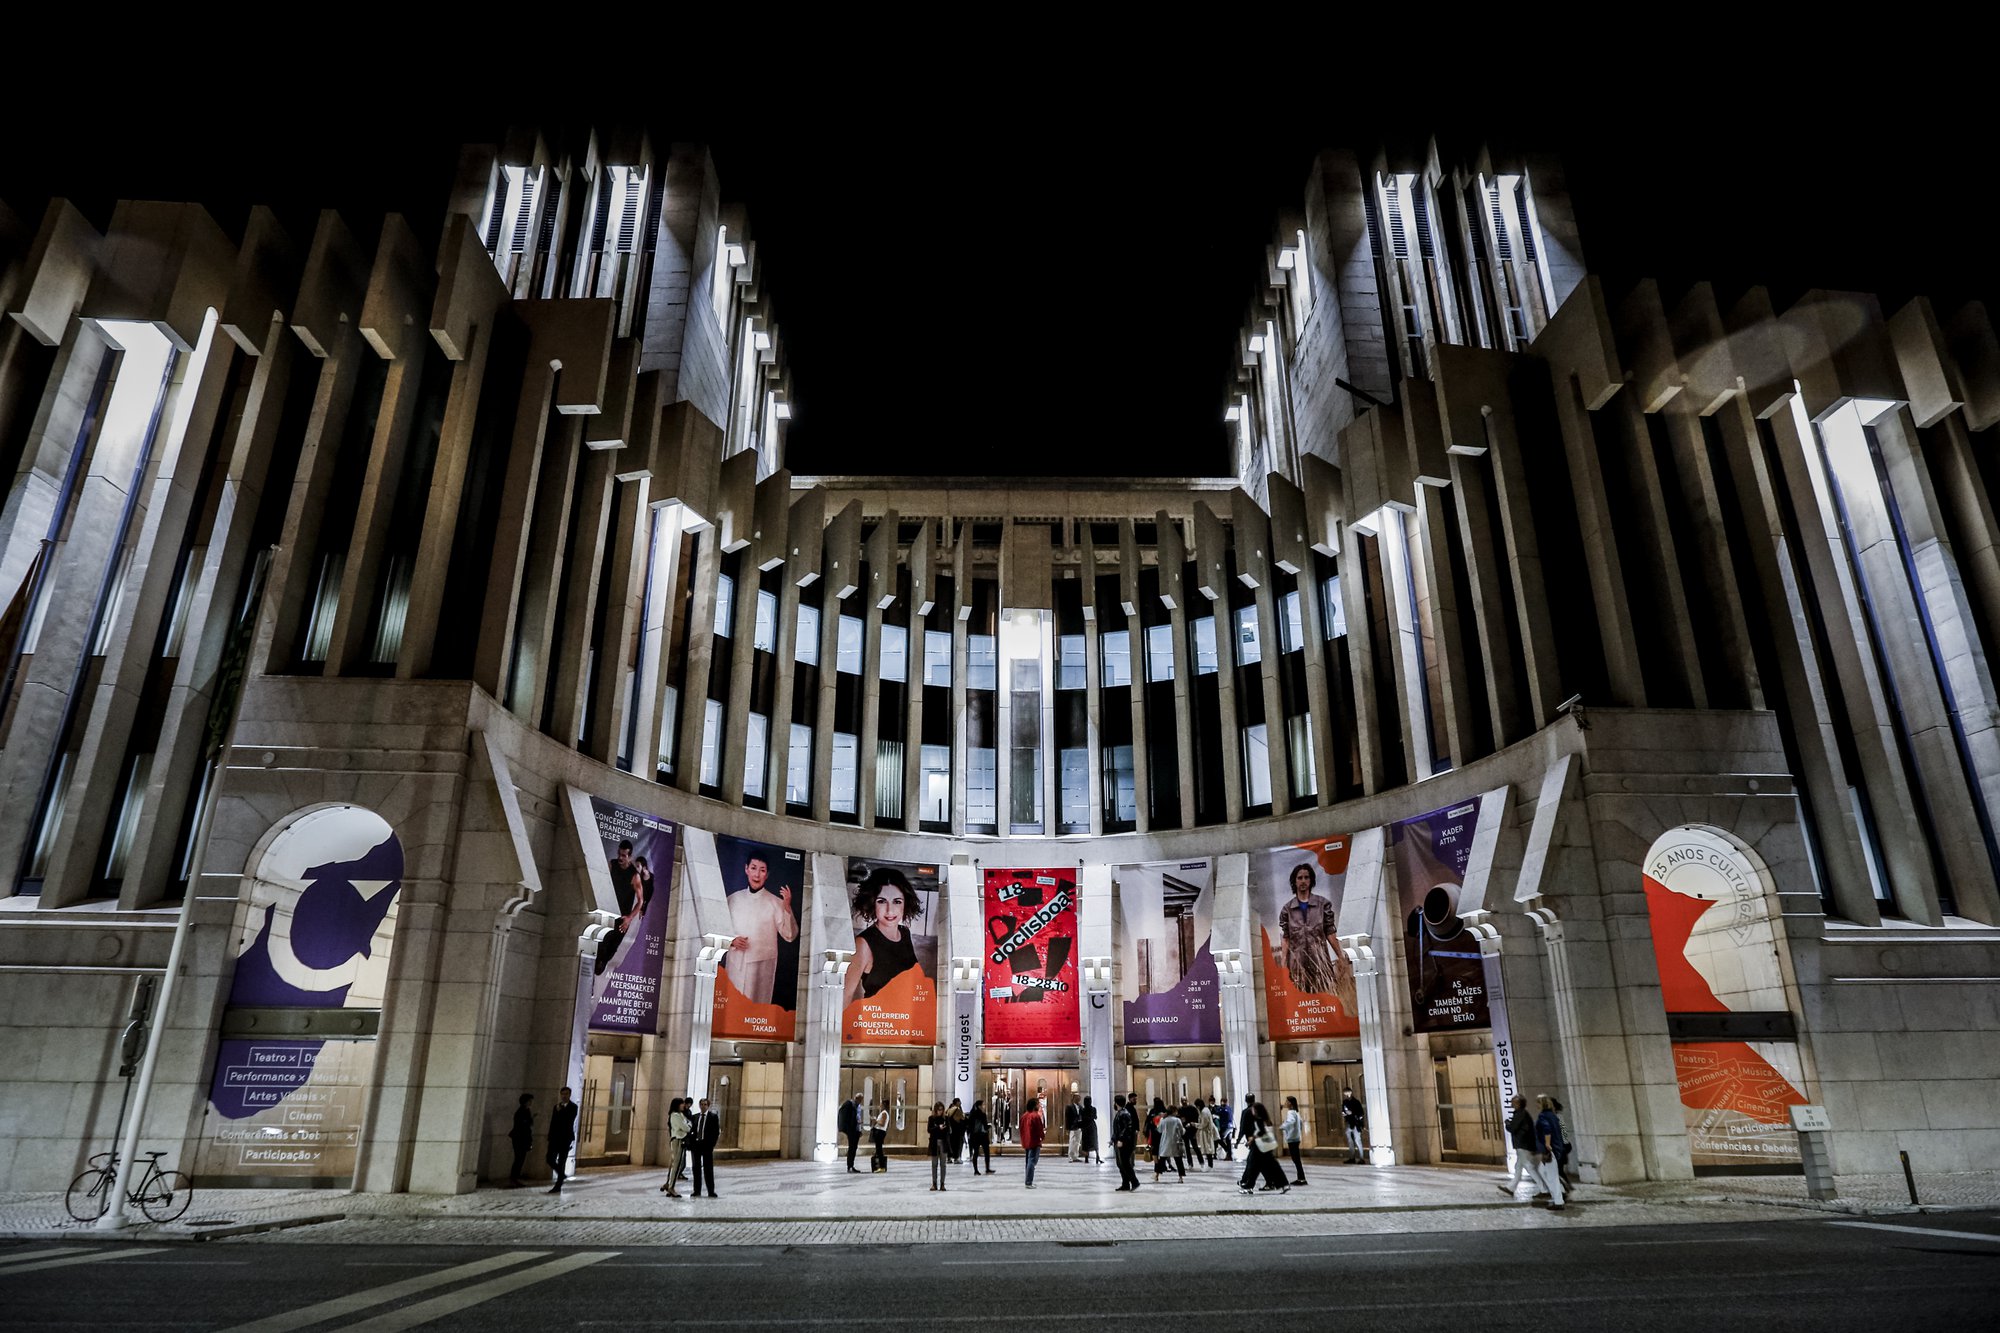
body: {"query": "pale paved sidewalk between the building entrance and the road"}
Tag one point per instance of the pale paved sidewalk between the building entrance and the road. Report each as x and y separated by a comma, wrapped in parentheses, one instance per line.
(813, 1204)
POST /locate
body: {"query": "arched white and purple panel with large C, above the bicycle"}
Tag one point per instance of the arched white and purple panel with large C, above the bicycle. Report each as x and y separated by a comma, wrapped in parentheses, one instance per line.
(317, 936)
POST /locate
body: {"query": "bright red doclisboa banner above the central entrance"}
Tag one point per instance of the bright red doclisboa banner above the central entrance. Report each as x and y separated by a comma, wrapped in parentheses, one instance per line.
(1031, 960)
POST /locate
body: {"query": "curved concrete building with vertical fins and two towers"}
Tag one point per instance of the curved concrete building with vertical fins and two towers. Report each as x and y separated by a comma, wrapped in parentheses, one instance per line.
(1569, 692)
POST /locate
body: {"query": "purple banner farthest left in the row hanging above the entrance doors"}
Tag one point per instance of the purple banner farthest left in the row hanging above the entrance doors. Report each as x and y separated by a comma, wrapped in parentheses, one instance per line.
(625, 992)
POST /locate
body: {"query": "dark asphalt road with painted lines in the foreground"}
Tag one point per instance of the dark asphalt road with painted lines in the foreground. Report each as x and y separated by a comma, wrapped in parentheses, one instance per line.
(1893, 1274)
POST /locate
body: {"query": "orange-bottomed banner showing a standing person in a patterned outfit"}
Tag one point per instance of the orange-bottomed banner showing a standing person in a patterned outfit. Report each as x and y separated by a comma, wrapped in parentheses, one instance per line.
(1309, 984)
